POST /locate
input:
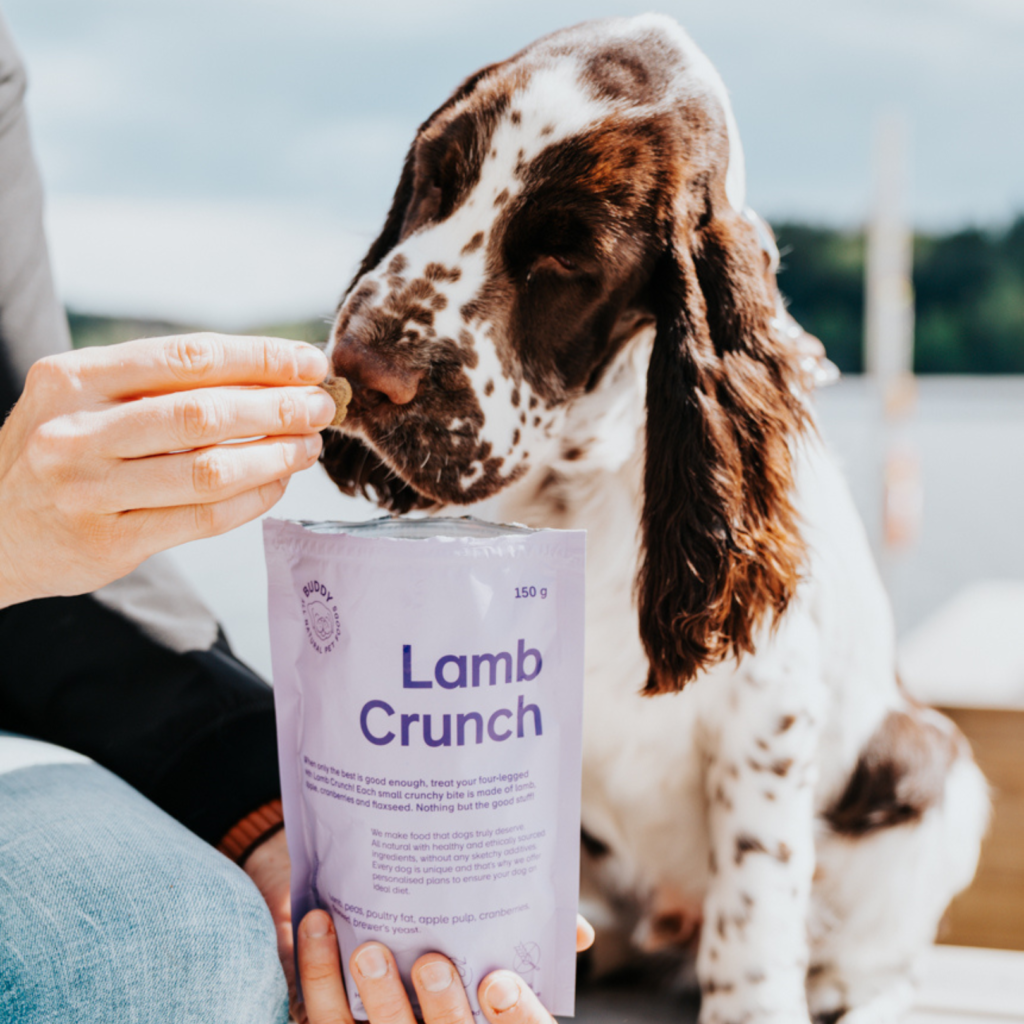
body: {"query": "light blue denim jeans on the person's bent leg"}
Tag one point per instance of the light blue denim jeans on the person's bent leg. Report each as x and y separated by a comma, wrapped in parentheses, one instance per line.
(113, 913)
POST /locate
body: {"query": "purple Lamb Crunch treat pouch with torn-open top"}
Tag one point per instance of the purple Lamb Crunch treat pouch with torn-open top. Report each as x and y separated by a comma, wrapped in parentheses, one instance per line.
(429, 681)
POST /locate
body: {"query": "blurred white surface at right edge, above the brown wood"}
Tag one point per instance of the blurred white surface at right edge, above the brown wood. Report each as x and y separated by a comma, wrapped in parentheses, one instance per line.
(971, 652)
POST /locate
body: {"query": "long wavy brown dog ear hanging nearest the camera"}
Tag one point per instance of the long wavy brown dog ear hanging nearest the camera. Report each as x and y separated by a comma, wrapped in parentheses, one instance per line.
(721, 547)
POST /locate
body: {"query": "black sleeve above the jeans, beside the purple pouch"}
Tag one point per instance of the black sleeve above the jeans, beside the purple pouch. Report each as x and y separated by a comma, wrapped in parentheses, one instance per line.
(194, 733)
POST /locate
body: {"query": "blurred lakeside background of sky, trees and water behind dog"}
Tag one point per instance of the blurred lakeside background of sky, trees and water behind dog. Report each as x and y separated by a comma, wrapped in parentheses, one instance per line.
(225, 163)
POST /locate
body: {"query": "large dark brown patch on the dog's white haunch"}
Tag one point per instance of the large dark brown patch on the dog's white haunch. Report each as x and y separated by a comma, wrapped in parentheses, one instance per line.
(902, 773)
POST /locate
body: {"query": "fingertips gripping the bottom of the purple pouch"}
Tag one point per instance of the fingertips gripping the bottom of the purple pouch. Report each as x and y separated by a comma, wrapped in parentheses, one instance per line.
(505, 999)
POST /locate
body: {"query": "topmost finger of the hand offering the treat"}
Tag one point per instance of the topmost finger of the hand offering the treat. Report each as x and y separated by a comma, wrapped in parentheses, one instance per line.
(158, 366)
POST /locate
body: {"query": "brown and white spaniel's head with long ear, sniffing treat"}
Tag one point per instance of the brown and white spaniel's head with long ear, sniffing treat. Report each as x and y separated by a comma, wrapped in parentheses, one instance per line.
(554, 205)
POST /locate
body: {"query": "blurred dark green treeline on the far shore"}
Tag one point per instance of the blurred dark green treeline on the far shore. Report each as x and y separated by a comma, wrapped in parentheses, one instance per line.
(968, 284)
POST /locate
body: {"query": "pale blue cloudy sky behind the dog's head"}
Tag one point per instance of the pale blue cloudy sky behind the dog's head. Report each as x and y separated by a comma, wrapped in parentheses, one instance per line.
(226, 161)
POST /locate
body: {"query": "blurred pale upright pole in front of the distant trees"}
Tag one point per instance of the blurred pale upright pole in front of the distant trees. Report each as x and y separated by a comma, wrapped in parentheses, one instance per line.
(889, 336)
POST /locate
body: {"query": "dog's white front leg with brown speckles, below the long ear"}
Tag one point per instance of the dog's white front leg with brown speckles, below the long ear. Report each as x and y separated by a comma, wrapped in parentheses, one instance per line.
(760, 775)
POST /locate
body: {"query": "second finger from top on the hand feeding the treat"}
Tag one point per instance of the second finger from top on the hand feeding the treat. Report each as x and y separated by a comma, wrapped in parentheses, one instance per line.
(209, 416)
